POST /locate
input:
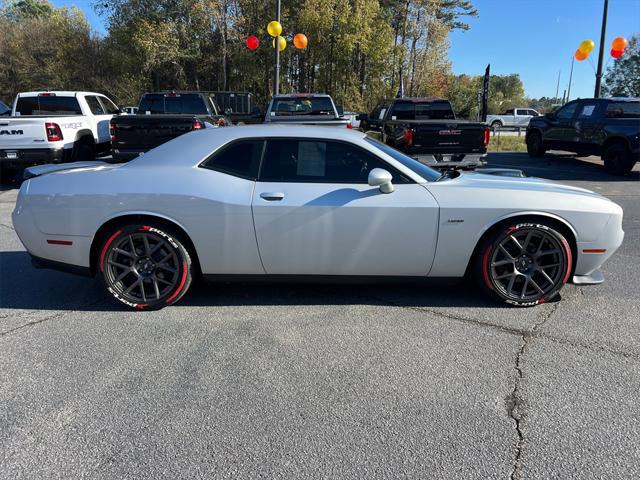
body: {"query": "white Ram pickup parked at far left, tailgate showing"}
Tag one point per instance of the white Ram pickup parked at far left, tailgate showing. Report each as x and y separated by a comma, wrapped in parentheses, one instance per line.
(54, 127)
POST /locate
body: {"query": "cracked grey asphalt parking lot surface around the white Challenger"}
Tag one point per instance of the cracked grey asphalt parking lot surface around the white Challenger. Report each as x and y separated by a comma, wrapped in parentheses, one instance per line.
(324, 381)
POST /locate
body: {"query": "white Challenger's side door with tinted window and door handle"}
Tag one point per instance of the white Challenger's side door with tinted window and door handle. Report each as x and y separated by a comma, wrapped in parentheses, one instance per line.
(315, 214)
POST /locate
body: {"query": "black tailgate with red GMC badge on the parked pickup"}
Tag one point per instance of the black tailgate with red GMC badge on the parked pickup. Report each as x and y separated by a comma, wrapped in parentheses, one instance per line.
(452, 136)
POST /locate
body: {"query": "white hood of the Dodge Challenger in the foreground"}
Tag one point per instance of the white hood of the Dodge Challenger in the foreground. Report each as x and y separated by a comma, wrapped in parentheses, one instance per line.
(480, 180)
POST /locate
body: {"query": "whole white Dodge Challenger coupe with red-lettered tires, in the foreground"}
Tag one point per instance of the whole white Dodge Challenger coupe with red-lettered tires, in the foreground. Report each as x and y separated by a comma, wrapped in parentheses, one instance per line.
(274, 201)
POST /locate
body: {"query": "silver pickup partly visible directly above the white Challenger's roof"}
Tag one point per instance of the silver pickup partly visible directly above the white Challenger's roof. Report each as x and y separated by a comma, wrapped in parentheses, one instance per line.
(305, 109)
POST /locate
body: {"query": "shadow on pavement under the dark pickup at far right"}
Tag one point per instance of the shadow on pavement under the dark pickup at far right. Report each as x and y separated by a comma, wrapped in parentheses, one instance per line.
(560, 166)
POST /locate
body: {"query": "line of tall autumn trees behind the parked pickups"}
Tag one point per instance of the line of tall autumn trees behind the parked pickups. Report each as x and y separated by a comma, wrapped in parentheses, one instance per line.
(358, 50)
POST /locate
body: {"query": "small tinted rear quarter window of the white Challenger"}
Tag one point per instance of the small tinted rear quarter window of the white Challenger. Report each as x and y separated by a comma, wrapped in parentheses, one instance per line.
(240, 159)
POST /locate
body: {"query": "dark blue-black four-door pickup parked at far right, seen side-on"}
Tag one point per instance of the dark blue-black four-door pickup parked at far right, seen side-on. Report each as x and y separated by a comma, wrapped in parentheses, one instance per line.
(609, 127)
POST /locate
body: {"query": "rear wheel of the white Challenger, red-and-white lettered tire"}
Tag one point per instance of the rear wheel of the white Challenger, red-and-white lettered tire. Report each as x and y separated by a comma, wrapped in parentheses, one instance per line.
(145, 267)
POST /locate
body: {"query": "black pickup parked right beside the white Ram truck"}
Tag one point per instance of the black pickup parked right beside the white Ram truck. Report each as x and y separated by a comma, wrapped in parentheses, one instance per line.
(162, 117)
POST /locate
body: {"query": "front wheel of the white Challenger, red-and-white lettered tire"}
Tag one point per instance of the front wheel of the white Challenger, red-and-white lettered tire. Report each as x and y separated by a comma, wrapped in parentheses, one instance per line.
(523, 264)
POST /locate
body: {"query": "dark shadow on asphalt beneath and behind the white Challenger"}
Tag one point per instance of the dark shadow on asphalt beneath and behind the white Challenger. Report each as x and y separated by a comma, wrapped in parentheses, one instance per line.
(24, 287)
